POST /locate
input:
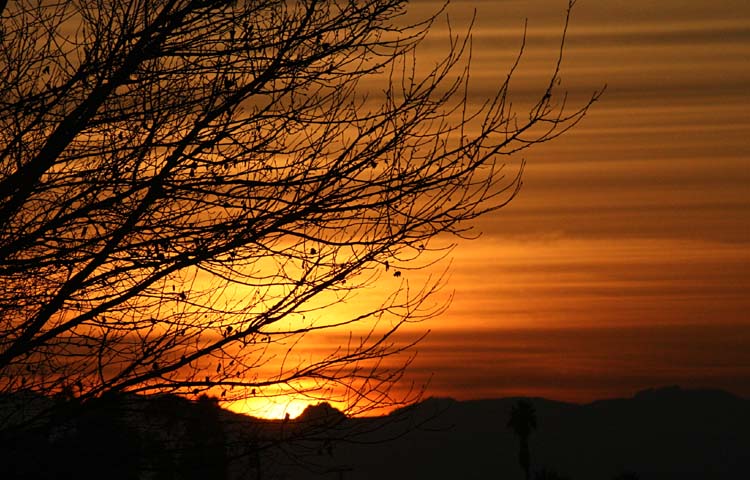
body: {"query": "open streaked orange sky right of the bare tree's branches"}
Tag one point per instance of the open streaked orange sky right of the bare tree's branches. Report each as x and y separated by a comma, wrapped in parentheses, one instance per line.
(623, 264)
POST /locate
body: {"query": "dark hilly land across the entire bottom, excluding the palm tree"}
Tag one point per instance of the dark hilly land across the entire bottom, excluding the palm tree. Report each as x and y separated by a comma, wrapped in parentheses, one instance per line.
(665, 433)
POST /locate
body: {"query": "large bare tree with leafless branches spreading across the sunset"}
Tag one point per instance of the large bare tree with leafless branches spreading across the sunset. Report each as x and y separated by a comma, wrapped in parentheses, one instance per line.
(186, 184)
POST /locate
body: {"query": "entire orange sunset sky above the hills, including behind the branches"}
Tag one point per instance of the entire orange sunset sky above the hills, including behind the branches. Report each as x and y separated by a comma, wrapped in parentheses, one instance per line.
(622, 264)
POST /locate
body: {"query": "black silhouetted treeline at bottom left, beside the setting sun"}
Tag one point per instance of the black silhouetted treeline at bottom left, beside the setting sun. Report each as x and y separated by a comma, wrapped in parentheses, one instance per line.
(126, 438)
